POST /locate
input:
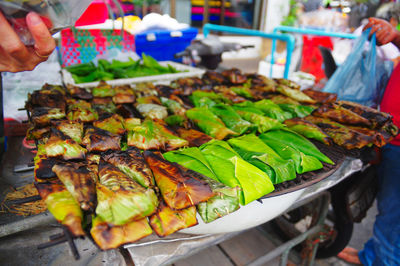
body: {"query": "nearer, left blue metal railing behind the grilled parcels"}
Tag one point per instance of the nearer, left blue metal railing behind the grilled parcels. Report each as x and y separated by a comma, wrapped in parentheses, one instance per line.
(274, 36)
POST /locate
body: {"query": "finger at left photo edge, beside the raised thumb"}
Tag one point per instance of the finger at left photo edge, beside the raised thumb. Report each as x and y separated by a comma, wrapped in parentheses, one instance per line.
(12, 45)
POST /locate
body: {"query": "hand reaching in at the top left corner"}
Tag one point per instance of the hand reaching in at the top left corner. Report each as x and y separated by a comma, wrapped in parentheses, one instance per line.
(14, 55)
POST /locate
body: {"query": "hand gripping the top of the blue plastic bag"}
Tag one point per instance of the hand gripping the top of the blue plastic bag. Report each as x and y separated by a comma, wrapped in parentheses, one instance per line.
(385, 32)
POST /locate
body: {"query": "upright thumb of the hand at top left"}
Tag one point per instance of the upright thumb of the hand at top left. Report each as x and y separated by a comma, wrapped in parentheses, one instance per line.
(44, 43)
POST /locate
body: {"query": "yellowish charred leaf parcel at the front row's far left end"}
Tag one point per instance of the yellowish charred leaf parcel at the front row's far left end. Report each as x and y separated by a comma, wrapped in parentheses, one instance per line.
(62, 205)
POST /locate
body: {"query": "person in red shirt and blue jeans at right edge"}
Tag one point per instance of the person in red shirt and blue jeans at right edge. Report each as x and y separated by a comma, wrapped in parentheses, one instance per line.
(384, 246)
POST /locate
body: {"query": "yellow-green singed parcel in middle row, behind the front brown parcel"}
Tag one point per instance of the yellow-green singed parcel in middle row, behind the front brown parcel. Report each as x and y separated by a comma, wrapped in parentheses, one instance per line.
(154, 135)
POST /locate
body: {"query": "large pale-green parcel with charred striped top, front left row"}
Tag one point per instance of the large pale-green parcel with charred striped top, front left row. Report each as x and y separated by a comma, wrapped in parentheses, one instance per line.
(120, 199)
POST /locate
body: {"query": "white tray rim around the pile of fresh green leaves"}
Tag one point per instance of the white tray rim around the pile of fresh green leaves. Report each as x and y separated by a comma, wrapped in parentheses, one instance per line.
(190, 72)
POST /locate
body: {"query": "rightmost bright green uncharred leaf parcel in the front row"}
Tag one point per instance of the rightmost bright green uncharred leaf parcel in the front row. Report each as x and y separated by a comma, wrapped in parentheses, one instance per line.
(297, 142)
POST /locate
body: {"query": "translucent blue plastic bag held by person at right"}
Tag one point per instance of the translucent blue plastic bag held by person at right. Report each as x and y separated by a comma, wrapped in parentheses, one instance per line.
(363, 77)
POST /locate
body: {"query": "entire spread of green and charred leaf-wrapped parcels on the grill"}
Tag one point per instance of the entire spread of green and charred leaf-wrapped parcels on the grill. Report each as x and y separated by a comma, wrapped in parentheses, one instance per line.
(121, 162)
